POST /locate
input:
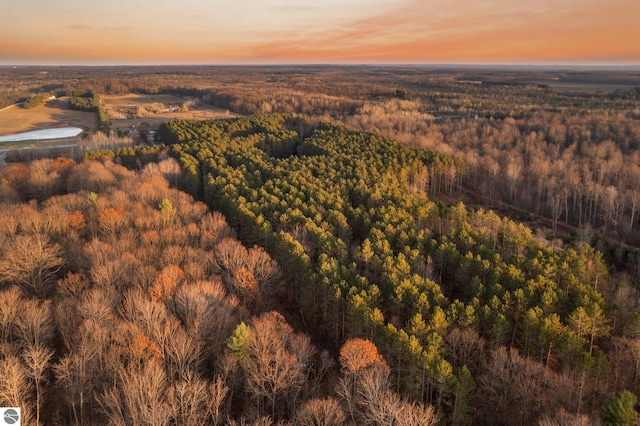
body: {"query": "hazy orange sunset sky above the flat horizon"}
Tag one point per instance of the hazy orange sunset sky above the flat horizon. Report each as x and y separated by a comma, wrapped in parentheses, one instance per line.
(127, 32)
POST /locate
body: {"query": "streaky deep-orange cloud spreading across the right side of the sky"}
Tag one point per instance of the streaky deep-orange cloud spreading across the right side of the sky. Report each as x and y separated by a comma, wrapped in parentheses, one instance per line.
(546, 33)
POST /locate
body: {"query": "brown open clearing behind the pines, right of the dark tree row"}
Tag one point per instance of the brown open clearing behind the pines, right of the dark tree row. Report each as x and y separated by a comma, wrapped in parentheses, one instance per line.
(127, 107)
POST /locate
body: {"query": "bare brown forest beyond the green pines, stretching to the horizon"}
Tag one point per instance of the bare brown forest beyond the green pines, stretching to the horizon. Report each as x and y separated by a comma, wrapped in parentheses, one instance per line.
(529, 146)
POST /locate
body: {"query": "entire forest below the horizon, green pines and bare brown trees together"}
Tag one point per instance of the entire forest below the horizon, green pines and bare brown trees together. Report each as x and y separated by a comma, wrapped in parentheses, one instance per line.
(365, 246)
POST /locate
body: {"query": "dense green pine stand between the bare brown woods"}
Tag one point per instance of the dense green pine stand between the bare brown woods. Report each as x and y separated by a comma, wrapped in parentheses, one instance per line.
(443, 291)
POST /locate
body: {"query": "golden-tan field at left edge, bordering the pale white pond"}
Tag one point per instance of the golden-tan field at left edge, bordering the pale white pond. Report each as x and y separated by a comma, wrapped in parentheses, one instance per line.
(54, 113)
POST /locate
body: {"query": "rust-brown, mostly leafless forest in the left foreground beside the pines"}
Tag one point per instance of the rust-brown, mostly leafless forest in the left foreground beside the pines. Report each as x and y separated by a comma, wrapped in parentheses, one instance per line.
(127, 302)
